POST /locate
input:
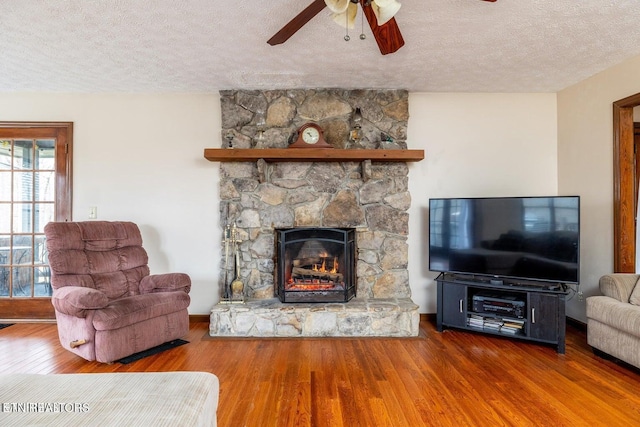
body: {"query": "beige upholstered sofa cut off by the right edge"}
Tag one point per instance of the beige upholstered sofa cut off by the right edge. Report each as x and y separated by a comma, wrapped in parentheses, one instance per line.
(613, 319)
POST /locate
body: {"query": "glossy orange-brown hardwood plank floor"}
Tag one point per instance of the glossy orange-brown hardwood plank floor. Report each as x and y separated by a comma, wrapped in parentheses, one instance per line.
(438, 379)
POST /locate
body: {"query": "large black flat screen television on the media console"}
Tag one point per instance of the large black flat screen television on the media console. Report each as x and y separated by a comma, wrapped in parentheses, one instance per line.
(527, 238)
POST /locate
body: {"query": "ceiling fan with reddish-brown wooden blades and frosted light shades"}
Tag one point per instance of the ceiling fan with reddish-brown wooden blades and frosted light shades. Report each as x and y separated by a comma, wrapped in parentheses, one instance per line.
(379, 14)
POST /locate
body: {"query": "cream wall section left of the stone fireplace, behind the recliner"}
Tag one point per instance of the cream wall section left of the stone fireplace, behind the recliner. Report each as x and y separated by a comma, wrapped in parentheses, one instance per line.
(140, 158)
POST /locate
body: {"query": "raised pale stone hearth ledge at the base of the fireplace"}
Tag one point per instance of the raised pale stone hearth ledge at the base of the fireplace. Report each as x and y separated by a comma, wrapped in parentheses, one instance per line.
(389, 317)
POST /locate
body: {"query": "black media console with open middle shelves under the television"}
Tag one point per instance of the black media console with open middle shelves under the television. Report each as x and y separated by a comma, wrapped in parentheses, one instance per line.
(531, 312)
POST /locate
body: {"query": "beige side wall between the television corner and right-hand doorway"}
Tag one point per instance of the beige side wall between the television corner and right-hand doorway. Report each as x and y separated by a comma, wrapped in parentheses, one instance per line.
(585, 164)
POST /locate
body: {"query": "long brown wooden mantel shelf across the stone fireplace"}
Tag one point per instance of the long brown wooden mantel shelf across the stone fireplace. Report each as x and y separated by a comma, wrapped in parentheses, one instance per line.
(310, 155)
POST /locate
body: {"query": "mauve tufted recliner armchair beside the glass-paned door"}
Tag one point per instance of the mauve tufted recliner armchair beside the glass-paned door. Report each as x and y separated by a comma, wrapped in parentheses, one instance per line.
(107, 305)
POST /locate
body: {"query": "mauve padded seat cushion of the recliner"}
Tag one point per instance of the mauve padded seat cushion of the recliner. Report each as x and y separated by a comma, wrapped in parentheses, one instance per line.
(129, 310)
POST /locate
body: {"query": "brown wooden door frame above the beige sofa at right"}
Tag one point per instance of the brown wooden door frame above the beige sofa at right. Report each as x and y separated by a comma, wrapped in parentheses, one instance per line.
(624, 176)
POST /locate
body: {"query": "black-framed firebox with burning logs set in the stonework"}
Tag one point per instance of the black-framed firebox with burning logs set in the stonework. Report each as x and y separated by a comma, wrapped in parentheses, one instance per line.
(315, 264)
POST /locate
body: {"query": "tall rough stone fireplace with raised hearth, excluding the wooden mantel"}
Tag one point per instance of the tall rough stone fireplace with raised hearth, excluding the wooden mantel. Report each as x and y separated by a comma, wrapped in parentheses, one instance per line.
(367, 202)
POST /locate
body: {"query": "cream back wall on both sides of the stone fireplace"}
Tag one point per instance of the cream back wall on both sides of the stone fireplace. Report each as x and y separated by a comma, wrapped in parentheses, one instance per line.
(140, 158)
